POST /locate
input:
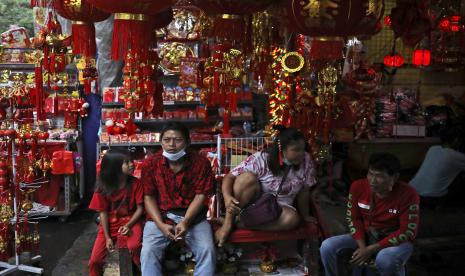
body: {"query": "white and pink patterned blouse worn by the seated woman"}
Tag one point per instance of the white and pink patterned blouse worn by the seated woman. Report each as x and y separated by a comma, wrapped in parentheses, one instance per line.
(257, 163)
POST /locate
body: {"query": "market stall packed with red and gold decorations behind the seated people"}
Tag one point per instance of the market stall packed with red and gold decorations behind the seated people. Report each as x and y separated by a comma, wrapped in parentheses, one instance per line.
(361, 76)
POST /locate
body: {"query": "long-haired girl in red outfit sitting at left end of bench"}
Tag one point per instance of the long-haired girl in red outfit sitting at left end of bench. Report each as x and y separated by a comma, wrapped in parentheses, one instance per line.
(118, 198)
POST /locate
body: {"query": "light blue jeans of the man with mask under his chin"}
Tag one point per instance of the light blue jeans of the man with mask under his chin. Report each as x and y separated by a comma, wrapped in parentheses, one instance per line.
(199, 238)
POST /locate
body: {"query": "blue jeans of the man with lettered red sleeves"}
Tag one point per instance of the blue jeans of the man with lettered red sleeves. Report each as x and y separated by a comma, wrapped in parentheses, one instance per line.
(389, 261)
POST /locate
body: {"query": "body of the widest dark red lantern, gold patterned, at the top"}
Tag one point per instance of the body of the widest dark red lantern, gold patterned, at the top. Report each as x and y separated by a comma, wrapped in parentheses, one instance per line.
(332, 18)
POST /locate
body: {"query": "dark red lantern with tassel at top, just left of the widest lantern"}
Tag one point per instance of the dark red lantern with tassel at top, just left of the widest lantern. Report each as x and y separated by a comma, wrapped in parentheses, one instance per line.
(229, 21)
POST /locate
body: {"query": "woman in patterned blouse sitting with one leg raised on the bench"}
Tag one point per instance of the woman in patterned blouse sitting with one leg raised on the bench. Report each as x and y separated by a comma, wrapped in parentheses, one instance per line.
(285, 169)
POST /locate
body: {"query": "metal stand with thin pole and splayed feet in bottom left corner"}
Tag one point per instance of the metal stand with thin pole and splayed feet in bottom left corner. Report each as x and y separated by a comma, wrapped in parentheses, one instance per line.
(17, 266)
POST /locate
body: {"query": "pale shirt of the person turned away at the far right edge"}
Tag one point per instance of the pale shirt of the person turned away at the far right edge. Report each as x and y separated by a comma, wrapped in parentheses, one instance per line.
(439, 168)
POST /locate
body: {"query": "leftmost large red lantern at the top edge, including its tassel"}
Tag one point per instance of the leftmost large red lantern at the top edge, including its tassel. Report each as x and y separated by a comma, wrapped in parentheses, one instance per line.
(83, 15)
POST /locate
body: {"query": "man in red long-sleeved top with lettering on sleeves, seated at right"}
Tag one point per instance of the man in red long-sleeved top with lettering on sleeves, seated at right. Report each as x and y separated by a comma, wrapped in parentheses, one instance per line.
(383, 216)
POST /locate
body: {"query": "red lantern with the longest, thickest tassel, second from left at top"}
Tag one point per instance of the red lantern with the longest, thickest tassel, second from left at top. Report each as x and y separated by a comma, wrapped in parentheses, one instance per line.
(133, 25)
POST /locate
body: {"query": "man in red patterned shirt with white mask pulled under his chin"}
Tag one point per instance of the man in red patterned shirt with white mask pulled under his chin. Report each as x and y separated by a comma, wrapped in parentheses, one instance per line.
(177, 183)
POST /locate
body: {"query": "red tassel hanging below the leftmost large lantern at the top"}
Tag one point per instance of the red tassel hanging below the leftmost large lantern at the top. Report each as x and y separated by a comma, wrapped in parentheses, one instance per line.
(83, 39)
